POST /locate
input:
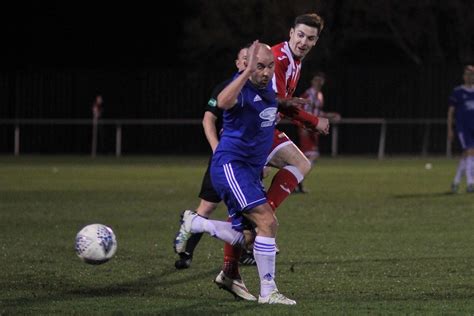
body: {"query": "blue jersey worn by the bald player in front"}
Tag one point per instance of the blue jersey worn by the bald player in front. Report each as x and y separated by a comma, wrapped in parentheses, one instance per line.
(248, 127)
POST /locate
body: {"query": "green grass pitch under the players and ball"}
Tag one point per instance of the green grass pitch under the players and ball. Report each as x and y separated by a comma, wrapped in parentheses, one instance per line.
(371, 237)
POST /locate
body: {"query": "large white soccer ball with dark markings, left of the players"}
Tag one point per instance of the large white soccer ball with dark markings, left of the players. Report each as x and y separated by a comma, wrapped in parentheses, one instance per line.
(95, 244)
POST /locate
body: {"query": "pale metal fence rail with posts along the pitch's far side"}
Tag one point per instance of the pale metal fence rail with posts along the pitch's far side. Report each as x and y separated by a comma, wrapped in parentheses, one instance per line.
(118, 123)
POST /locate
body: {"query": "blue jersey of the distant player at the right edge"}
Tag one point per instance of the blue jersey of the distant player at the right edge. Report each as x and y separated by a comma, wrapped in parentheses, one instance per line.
(462, 99)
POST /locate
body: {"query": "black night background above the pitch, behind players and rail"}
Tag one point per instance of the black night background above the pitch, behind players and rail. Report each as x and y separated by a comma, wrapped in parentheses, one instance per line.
(392, 59)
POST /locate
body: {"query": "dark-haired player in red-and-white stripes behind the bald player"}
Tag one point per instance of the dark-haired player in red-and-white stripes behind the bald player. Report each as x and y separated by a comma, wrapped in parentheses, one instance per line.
(285, 155)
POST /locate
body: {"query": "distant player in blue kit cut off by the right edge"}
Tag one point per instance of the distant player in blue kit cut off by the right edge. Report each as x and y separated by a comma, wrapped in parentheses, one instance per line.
(461, 105)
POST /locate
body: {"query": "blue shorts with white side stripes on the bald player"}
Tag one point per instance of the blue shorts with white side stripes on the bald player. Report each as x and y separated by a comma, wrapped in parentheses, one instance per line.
(239, 186)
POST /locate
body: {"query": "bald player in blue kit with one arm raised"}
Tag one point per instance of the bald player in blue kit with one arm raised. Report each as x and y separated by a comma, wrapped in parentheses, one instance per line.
(238, 161)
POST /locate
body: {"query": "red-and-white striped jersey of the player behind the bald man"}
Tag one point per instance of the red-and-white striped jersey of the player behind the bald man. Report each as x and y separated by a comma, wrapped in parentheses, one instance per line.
(287, 71)
